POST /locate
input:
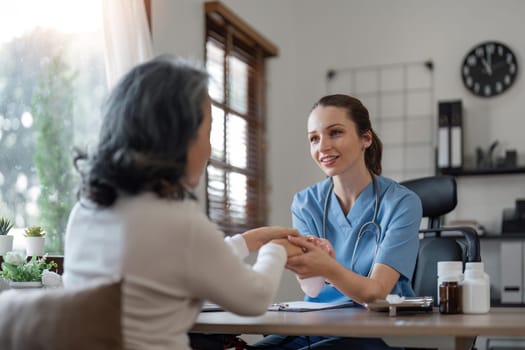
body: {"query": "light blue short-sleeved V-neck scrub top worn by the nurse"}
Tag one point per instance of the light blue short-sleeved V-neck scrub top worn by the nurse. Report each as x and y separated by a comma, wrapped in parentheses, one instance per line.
(399, 216)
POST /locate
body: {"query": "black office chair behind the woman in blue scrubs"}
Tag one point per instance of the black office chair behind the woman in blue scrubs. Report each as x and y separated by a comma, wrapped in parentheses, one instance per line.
(438, 196)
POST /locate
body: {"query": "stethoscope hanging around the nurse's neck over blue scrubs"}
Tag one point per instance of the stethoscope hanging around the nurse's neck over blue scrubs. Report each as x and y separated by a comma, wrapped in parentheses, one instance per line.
(363, 228)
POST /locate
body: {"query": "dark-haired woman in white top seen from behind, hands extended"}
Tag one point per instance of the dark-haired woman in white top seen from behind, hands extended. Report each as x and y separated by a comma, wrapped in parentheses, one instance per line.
(137, 216)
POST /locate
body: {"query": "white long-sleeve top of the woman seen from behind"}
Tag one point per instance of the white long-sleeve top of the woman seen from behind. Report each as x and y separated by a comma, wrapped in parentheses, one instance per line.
(171, 258)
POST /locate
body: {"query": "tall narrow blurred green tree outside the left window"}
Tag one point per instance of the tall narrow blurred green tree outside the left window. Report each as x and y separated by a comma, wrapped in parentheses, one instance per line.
(52, 110)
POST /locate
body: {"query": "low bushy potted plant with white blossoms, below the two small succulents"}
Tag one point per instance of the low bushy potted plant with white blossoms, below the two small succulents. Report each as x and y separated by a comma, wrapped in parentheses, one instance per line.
(35, 273)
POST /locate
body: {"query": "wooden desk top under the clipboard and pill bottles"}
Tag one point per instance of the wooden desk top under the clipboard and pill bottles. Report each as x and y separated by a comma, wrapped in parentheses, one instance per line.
(431, 330)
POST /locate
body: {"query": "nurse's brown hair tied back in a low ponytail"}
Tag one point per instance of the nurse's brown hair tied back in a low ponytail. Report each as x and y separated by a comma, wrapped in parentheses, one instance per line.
(358, 113)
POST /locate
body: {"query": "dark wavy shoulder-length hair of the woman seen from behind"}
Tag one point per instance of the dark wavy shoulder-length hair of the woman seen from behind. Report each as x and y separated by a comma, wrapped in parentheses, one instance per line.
(149, 120)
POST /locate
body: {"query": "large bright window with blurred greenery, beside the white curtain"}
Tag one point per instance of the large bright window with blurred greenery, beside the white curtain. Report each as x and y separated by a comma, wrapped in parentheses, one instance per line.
(52, 82)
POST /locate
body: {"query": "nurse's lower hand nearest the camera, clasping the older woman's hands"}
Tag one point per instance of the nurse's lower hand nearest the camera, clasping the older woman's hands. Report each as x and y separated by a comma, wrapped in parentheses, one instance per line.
(314, 262)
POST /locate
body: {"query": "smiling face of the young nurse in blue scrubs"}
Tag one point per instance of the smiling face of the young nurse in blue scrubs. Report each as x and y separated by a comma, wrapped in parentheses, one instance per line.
(335, 145)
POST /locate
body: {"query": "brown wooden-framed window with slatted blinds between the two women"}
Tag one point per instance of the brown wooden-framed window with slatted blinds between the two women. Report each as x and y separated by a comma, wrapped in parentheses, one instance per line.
(235, 59)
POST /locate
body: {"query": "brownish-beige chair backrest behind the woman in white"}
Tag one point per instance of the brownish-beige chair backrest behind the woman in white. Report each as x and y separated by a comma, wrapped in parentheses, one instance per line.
(84, 318)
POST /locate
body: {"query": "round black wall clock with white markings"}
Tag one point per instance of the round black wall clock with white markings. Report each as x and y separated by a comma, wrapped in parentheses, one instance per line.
(489, 69)
